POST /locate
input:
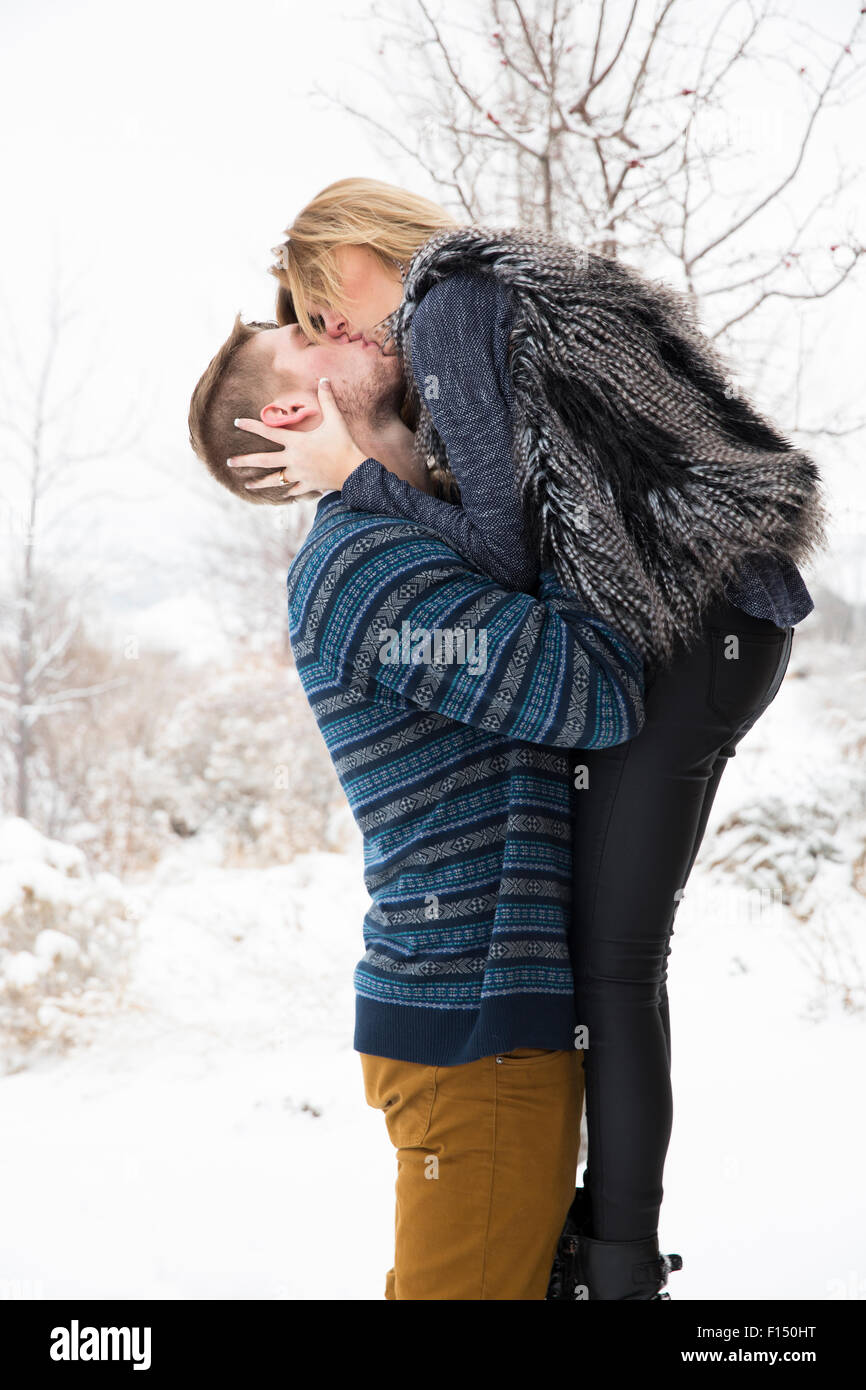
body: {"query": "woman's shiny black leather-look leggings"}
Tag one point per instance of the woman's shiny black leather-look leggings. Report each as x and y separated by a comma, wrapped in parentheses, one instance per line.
(639, 826)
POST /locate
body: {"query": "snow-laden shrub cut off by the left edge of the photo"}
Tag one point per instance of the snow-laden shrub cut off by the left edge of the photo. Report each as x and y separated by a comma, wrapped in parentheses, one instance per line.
(66, 936)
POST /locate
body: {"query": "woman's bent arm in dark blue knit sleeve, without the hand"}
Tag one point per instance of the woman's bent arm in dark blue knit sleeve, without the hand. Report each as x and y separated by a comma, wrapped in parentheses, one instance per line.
(459, 358)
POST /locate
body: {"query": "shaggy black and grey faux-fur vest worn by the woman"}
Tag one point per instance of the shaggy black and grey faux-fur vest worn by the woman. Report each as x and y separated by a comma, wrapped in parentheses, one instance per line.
(647, 479)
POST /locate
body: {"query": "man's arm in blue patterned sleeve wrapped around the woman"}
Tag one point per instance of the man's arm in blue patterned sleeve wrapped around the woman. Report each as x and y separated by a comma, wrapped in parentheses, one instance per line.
(400, 618)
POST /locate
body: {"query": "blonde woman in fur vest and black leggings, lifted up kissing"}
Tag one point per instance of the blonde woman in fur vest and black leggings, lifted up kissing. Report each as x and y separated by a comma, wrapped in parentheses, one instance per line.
(589, 426)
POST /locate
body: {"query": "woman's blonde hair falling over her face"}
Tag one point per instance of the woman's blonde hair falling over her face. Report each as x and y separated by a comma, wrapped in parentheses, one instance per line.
(355, 212)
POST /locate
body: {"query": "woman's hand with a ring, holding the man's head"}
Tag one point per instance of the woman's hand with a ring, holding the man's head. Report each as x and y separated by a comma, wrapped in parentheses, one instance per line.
(313, 461)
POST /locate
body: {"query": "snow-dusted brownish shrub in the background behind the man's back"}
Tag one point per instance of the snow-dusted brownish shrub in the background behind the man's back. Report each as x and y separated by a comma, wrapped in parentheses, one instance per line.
(227, 755)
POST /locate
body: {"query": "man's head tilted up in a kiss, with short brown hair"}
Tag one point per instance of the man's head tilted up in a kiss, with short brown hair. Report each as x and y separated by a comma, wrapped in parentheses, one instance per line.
(270, 373)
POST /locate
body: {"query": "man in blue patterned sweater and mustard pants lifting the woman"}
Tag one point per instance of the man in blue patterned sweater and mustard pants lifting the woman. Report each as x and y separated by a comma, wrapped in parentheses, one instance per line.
(448, 705)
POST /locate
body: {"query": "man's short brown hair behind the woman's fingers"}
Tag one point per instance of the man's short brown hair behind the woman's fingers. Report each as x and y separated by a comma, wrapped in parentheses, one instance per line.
(234, 387)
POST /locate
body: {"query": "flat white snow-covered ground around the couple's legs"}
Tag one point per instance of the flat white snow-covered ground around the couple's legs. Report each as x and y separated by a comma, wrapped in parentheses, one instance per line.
(212, 1140)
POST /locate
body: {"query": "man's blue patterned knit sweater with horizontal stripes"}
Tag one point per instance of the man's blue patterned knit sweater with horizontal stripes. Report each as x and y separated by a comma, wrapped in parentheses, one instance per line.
(448, 705)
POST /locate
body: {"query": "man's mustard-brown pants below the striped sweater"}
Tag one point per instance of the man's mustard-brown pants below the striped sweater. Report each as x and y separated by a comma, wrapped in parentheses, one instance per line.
(487, 1160)
